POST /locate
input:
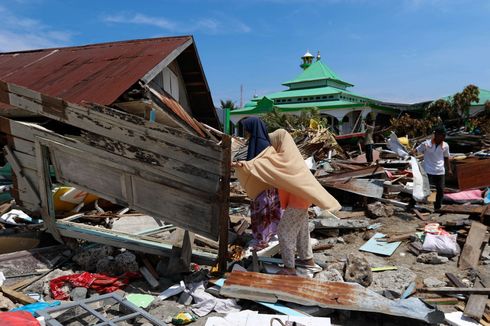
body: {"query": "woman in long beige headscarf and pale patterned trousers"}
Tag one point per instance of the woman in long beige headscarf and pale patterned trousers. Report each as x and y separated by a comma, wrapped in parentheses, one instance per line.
(283, 167)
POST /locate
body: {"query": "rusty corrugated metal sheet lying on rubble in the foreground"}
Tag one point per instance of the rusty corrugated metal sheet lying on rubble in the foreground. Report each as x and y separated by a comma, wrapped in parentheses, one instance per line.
(334, 295)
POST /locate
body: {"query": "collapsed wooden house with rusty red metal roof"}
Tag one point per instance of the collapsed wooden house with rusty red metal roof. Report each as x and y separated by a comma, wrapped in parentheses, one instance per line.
(120, 121)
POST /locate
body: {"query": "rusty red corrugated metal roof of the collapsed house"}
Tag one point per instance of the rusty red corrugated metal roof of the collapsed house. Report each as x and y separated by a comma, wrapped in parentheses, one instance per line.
(98, 73)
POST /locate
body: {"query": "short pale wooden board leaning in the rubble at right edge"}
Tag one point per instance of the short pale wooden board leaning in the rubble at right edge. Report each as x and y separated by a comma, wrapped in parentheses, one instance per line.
(470, 255)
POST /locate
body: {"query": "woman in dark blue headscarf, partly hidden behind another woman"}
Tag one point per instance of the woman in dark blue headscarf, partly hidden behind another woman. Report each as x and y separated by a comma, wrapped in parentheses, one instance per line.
(265, 208)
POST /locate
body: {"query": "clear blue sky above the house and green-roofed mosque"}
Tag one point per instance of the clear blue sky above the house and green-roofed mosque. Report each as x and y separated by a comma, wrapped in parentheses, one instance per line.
(393, 50)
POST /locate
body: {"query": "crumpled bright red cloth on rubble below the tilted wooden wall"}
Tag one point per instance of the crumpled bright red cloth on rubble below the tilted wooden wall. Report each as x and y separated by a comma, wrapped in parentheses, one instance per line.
(98, 282)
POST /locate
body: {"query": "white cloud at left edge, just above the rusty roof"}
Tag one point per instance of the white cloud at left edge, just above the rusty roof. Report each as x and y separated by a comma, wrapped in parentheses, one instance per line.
(23, 33)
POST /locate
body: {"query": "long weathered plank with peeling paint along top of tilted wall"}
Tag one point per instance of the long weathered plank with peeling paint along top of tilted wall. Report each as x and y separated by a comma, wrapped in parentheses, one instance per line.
(111, 123)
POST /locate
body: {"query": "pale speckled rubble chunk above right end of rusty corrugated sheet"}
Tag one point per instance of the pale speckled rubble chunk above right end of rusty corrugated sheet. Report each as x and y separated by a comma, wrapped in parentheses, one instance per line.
(395, 281)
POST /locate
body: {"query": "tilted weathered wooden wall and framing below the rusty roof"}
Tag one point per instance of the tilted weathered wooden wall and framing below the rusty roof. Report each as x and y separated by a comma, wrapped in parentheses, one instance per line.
(189, 173)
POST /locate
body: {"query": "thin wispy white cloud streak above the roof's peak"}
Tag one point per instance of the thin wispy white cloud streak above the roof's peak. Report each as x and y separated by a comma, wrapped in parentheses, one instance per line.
(206, 25)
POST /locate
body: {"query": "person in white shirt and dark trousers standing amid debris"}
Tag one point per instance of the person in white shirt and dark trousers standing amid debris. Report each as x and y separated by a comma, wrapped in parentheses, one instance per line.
(436, 162)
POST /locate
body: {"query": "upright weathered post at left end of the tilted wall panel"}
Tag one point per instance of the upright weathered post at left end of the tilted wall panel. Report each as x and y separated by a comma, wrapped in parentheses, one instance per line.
(47, 204)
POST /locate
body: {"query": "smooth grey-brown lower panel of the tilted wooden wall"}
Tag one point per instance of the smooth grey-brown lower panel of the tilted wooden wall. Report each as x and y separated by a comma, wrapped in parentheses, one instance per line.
(102, 175)
